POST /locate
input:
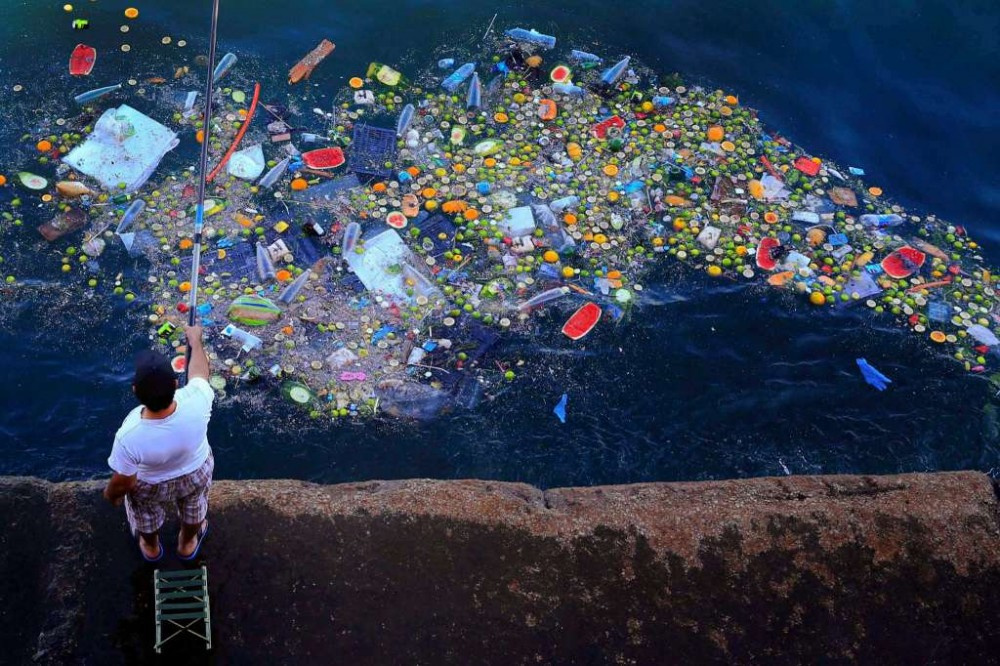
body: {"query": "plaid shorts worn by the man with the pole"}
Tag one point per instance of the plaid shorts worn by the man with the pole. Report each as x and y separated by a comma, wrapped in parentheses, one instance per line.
(146, 506)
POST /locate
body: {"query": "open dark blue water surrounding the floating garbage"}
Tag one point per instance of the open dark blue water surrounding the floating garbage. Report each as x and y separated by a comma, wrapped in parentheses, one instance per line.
(704, 381)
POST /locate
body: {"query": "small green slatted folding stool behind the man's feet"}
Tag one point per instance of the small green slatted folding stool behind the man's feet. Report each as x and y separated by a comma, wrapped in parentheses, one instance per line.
(182, 600)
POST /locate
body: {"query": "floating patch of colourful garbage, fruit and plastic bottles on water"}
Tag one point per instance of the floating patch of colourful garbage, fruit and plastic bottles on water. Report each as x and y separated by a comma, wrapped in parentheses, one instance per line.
(367, 258)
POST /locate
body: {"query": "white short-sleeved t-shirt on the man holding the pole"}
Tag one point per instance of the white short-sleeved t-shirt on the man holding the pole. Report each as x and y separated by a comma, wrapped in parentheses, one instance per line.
(162, 449)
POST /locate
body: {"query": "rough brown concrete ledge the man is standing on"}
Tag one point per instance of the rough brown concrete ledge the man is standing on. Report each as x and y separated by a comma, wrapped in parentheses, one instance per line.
(900, 569)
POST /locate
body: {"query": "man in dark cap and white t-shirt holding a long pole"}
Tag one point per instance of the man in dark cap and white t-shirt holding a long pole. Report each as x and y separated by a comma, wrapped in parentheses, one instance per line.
(161, 457)
